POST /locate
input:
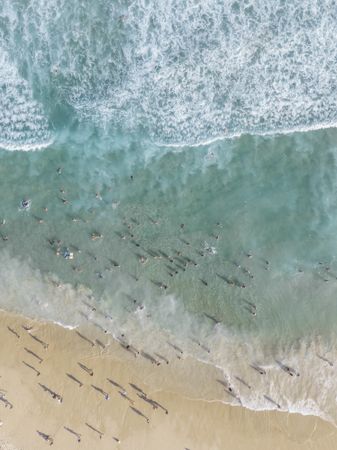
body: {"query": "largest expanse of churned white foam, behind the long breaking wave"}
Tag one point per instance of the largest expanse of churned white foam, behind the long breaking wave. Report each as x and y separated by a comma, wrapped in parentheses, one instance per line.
(187, 72)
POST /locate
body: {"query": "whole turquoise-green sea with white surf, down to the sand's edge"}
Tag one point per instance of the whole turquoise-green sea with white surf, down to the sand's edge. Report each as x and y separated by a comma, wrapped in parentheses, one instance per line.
(173, 164)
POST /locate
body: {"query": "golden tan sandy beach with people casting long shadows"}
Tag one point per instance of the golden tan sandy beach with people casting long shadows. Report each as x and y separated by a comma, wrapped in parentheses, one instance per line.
(99, 413)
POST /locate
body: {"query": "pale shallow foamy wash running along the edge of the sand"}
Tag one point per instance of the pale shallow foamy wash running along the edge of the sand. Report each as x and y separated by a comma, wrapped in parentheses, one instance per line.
(163, 320)
